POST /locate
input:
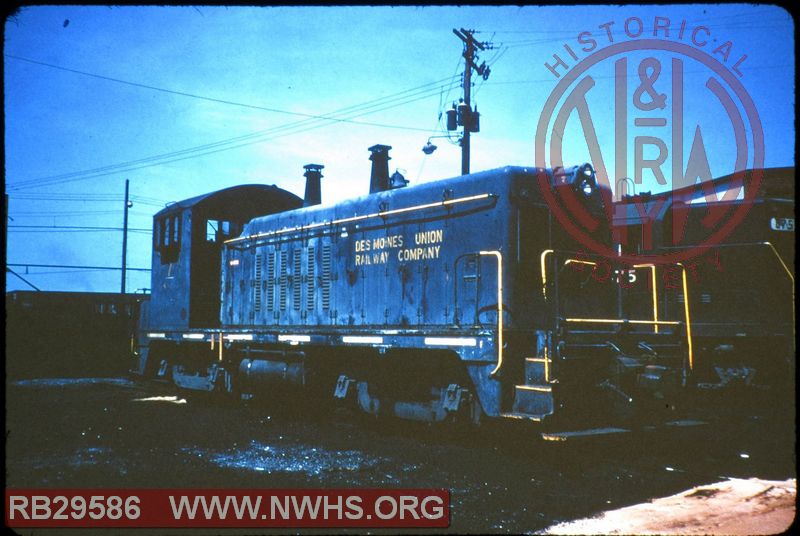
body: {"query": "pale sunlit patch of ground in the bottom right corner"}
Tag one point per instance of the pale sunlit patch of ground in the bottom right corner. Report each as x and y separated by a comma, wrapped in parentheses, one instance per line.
(735, 506)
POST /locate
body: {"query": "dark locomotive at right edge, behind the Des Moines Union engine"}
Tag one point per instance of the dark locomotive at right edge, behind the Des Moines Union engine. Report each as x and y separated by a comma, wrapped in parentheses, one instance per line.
(741, 288)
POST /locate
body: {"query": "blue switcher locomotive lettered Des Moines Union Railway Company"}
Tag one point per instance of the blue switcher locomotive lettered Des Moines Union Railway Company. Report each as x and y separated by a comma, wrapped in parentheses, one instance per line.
(459, 299)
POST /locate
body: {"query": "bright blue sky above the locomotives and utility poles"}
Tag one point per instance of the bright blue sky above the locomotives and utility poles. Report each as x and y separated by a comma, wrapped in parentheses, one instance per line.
(185, 100)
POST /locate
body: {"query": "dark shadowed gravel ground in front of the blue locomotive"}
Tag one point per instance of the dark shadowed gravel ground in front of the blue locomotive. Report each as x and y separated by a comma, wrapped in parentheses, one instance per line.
(117, 432)
